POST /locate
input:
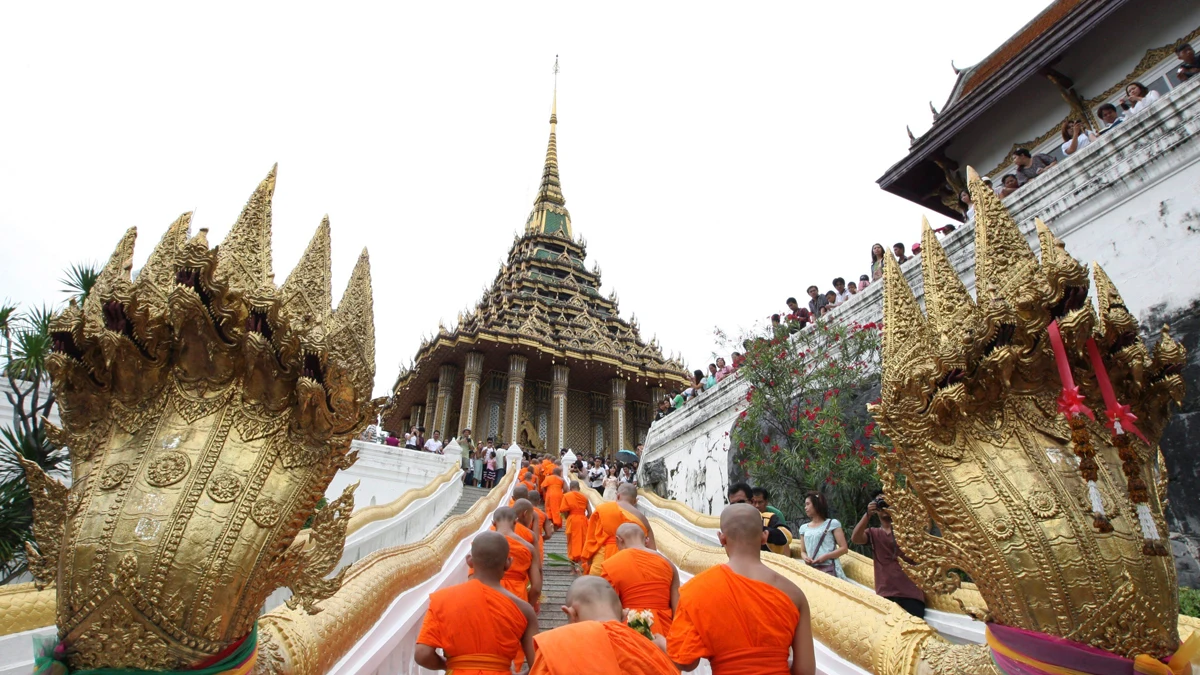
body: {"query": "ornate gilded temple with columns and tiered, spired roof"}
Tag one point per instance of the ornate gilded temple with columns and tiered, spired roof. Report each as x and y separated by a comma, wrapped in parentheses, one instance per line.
(544, 360)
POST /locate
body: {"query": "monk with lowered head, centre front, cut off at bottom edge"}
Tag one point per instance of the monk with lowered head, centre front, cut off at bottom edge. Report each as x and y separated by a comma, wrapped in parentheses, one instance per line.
(597, 642)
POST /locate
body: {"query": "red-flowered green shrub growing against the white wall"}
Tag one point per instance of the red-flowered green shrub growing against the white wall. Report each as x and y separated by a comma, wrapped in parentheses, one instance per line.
(805, 427)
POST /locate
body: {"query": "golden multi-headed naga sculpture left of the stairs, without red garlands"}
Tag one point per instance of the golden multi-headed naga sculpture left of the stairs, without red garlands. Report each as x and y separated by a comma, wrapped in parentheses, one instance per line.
(207, 411)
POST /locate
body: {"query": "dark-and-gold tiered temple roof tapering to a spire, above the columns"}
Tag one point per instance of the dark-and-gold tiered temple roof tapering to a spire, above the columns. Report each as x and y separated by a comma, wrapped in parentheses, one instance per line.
(545, 304)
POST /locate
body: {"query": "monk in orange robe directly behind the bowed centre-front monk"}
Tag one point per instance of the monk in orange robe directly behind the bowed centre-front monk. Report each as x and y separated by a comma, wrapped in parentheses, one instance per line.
(644, 580)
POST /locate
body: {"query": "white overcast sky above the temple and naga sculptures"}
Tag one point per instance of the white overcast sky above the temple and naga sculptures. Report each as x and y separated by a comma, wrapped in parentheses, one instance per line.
(718, 158)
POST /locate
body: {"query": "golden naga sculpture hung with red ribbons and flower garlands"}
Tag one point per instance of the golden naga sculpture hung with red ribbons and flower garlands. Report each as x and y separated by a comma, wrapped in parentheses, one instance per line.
(1027, 427)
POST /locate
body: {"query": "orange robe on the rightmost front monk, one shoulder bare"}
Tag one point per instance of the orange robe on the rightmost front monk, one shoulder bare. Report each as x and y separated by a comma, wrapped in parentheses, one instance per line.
(740, 625)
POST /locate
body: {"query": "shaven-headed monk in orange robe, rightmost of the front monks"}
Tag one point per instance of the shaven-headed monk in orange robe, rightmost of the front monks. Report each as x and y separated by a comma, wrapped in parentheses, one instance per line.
(742, 617)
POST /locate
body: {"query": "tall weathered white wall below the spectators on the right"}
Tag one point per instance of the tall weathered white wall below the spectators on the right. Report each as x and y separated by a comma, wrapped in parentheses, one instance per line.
(1131, 202)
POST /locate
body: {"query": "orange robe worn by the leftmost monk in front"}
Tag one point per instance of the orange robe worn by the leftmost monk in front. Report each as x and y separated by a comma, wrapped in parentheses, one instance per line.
(478, 629)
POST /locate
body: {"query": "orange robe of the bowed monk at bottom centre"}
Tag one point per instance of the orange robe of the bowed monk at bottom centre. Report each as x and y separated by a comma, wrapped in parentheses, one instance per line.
(595, 648)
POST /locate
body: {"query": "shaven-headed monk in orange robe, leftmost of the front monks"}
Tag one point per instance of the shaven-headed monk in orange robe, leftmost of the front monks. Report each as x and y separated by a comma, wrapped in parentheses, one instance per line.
(479, 626)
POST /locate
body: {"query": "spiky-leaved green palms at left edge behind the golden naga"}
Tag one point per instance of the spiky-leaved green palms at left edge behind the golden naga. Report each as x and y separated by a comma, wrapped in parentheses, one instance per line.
(27, 343)
